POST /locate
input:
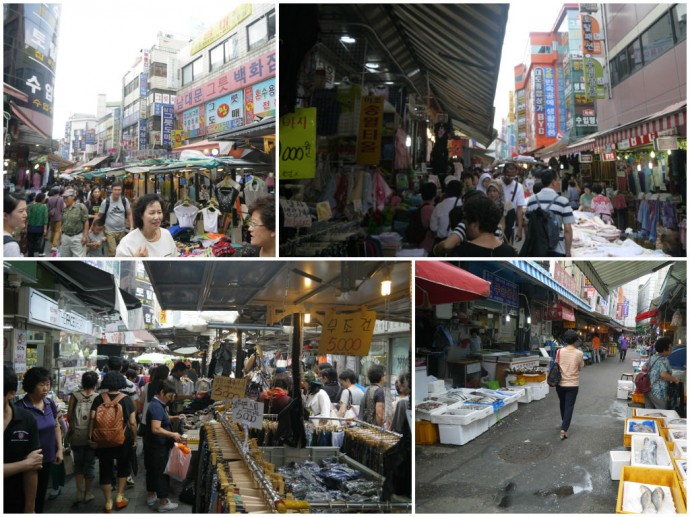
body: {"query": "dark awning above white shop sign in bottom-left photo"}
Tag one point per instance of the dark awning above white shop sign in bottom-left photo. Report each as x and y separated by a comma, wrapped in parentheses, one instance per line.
(94, 287)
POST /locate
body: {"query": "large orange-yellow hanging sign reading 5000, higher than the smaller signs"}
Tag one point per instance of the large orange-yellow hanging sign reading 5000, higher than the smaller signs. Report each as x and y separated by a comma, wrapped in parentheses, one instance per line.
(347, 334)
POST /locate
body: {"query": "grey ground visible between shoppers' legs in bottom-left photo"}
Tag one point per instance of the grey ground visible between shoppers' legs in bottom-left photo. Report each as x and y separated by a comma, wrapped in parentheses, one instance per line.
(136, 495)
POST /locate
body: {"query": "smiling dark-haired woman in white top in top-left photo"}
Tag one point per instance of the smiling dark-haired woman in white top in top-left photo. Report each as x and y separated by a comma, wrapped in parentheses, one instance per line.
(148, 239)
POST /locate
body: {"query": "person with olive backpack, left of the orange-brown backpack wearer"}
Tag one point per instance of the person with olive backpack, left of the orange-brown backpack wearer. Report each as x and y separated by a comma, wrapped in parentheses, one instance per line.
(79, 419)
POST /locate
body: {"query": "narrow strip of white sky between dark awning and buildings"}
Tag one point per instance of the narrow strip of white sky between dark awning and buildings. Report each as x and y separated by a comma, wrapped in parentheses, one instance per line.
(521, 21)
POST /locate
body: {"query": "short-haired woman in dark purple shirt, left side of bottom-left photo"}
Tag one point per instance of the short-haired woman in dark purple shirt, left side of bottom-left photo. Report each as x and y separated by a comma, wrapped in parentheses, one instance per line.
(36, 384)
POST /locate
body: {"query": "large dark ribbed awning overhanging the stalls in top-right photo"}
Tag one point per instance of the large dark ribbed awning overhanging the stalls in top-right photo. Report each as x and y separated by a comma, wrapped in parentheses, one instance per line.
(450, 53)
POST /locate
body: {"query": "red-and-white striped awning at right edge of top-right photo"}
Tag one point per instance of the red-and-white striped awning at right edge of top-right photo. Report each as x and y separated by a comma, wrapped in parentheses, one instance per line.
(669, 121)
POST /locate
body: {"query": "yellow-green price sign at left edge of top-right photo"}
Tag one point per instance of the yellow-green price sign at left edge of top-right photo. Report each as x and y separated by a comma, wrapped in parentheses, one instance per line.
(297, 144)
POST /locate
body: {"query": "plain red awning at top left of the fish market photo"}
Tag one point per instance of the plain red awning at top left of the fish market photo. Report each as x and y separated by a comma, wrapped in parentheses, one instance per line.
(440, 282)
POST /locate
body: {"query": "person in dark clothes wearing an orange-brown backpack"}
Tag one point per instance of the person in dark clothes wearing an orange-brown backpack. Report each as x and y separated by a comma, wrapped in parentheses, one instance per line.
(113, 433)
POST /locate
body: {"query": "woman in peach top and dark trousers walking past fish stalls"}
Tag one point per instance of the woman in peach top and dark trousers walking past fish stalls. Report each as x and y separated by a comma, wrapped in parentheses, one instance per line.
(570, 359)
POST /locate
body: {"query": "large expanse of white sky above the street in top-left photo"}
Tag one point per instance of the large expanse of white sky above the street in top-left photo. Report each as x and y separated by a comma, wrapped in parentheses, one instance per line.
(99, 41)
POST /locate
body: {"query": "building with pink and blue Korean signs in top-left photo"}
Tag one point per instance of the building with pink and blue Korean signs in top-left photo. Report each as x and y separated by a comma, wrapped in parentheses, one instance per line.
(228, 80)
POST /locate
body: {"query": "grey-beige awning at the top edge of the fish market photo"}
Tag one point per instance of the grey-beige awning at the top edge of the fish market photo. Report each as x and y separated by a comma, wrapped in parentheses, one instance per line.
(607, 275)
